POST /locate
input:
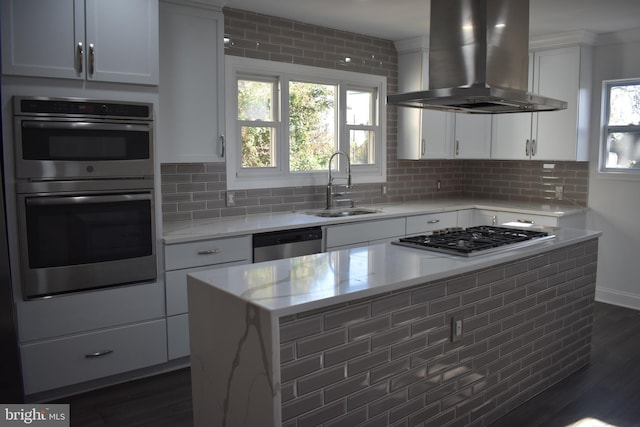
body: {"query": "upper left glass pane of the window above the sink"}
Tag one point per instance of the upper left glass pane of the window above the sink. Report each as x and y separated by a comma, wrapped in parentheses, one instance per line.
(255, 100)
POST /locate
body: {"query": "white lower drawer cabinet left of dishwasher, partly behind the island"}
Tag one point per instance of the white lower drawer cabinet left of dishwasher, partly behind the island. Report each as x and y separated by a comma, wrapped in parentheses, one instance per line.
(184, 258)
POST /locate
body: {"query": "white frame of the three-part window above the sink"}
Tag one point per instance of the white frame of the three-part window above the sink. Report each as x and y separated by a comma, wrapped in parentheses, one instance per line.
(239, 178)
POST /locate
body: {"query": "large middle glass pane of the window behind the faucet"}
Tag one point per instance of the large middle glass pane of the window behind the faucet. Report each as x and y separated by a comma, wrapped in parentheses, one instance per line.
(312, 122)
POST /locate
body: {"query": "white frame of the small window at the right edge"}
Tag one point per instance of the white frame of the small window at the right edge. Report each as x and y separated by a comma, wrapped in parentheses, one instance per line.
(606, 129)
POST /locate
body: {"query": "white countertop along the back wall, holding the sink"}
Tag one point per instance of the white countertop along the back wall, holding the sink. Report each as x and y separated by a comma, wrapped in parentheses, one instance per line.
(187, 231)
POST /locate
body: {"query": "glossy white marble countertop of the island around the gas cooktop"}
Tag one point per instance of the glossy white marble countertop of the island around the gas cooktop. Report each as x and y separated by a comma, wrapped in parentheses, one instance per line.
(313, 281)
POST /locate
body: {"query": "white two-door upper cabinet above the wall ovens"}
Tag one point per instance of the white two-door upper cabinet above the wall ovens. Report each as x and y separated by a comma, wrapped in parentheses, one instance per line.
(107, 41)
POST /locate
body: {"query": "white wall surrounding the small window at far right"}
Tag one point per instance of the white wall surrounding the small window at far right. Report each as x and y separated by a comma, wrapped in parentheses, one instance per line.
(615, 200)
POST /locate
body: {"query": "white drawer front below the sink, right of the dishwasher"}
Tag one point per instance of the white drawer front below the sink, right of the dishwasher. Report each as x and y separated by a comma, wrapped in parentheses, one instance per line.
(363, 232)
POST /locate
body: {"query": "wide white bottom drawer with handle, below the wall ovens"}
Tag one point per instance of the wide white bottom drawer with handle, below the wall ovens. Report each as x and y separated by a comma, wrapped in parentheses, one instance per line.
(61, 362)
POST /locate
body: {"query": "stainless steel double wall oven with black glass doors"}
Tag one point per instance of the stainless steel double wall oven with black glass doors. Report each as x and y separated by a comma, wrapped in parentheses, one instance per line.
(84, 183)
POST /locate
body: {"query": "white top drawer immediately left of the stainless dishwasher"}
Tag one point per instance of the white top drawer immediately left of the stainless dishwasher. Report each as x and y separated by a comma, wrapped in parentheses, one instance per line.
(207, 252)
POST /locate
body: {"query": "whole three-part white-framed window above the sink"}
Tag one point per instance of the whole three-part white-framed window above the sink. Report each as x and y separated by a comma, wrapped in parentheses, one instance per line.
(284, 121)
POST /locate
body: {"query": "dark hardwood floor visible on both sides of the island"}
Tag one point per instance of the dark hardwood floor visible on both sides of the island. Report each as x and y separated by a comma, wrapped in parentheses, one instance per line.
(608, 390)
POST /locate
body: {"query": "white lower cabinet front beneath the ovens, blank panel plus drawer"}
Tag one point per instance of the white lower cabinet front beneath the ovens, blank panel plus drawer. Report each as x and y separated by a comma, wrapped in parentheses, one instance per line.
(85, 336)
